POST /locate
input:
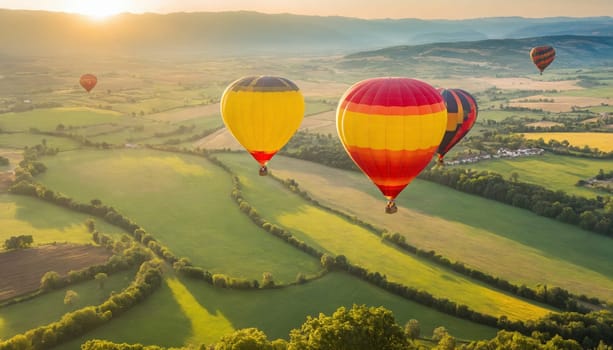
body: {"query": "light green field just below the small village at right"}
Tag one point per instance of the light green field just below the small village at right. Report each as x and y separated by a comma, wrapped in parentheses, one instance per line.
(551, 171)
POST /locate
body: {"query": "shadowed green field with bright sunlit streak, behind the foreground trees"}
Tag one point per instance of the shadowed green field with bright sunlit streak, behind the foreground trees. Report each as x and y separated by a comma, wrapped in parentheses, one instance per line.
(191, 312)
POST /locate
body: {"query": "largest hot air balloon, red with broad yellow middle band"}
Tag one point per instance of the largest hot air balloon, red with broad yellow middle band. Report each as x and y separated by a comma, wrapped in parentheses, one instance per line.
(391, 128)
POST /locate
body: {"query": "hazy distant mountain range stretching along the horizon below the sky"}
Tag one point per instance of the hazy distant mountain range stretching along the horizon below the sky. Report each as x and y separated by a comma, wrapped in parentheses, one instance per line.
(251, 33)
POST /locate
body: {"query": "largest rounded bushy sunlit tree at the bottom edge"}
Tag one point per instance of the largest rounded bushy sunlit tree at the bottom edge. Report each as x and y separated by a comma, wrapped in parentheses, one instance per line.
(358, 328)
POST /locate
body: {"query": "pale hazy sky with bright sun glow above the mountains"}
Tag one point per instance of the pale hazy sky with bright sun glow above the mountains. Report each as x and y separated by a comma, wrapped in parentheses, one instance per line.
(427, 9)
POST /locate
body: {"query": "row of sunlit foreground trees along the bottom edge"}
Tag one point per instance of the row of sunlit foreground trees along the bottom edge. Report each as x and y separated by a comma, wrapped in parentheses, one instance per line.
(368, 328)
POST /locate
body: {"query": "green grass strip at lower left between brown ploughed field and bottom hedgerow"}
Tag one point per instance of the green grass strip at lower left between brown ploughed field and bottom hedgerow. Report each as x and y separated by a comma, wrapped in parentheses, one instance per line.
(50, 307)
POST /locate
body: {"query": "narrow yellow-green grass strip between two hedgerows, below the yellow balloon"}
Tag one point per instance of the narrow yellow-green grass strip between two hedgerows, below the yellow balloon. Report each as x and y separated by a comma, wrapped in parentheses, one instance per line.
(336, 235)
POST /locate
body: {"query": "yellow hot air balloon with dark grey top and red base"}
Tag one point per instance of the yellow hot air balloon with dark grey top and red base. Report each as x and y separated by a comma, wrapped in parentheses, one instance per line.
(262, 113)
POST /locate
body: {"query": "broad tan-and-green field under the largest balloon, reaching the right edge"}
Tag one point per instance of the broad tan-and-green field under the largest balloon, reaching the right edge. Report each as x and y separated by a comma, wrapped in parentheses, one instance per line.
(504, 241)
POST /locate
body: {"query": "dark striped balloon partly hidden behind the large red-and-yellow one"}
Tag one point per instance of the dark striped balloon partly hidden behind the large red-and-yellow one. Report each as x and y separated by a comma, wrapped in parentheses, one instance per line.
(461, 116)
